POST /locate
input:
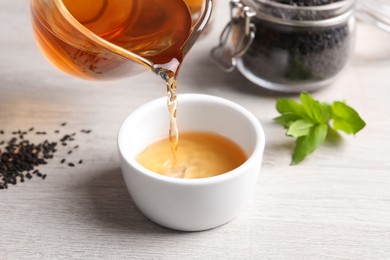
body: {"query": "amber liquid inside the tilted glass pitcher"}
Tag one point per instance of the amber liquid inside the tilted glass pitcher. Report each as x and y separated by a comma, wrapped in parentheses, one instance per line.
(153, 29)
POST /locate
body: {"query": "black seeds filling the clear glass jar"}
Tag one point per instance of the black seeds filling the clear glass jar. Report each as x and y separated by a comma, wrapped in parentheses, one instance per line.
(311, 54)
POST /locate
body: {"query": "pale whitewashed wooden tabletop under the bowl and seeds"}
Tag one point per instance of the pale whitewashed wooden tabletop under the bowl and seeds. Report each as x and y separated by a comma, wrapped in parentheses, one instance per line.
(335, 205)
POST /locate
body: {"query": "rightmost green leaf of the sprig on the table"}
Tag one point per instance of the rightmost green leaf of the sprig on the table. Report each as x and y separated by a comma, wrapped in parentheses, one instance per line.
(346, 118)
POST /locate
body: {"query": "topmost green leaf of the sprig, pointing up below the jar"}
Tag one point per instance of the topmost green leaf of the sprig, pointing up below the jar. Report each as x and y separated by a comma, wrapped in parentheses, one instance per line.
(317, 112)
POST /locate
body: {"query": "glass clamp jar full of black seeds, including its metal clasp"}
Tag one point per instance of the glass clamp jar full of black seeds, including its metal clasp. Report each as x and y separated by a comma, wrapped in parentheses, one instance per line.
(287, 47)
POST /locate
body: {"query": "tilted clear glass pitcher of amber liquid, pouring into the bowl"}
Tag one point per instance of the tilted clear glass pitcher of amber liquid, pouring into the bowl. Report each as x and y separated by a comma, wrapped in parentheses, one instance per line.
(108, 39)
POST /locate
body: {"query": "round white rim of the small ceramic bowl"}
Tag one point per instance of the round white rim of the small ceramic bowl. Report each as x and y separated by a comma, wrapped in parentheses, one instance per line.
(254, 158)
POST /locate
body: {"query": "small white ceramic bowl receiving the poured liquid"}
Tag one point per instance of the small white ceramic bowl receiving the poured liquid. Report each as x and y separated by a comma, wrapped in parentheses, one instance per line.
(191, 204)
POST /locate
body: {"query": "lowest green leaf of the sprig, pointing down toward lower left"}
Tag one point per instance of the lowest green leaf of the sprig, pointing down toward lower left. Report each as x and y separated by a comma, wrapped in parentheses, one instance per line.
(306, 145)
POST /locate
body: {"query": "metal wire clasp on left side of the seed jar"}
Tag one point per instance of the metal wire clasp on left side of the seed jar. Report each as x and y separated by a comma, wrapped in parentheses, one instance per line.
(236, 38)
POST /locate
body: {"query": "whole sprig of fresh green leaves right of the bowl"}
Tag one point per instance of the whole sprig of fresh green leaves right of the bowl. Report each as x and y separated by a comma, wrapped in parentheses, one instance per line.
(311, 122)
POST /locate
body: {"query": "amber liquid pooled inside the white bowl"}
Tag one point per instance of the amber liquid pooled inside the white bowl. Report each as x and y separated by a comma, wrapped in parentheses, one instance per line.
(200, 155)
